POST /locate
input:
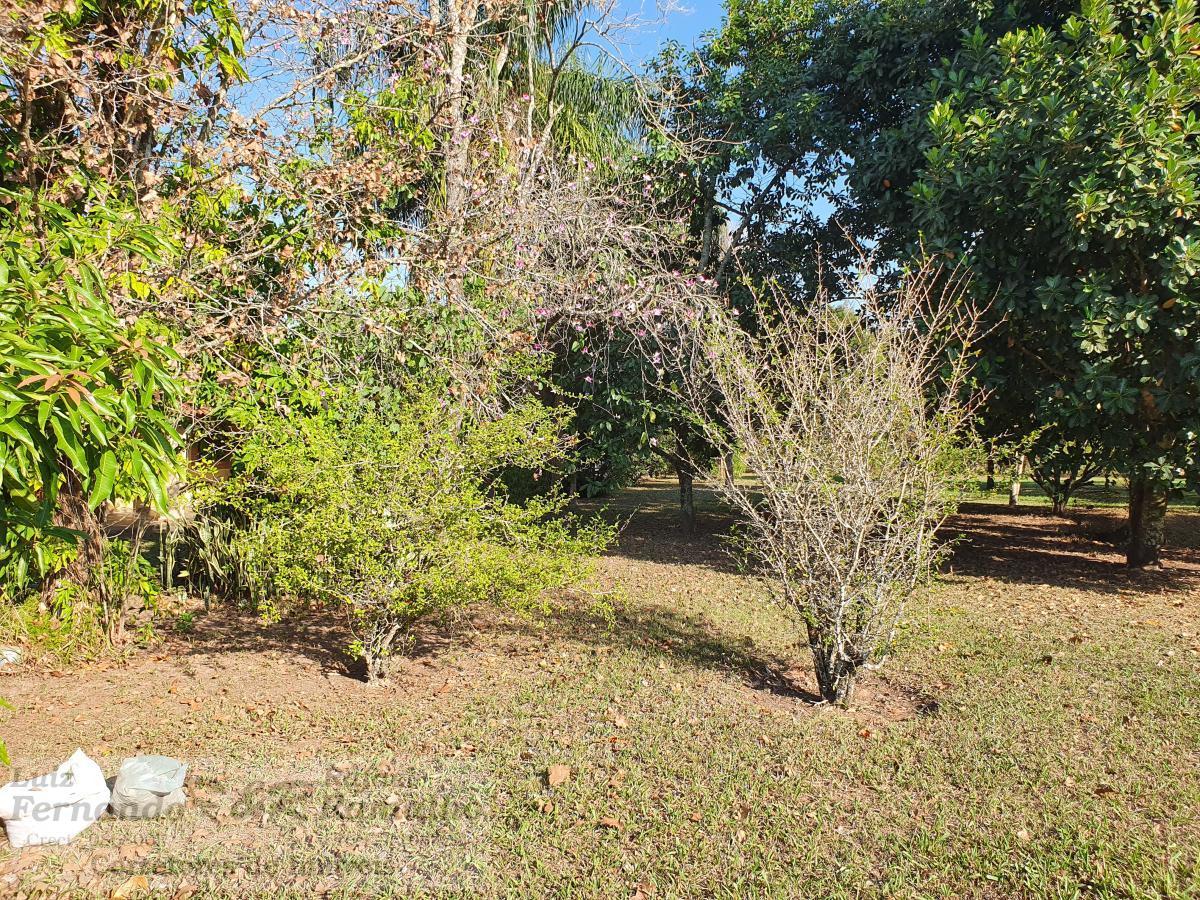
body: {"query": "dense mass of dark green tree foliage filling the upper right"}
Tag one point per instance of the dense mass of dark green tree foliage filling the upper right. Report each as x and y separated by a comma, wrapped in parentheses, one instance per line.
(1054, 152)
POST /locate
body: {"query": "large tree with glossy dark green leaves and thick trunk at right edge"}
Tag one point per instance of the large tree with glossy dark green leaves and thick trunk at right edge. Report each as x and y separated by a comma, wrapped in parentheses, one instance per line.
(1065, 169)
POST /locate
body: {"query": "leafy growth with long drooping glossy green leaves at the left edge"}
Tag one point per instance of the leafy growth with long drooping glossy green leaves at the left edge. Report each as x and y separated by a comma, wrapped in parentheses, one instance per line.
(82, 393)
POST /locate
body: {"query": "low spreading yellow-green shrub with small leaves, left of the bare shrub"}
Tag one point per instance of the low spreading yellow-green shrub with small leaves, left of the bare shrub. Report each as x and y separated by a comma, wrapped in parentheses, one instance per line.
(397, 513)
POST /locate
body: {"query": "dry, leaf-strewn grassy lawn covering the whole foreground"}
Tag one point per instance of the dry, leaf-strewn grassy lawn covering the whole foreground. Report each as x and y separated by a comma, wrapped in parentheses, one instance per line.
(1036, 735)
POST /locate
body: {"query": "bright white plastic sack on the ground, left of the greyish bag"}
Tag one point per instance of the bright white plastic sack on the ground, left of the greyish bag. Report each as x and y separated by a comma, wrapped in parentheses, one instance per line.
(55, 808)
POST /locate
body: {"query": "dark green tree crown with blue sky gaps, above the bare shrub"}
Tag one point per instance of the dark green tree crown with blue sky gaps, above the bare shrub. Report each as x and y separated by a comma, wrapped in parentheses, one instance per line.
(820, 111)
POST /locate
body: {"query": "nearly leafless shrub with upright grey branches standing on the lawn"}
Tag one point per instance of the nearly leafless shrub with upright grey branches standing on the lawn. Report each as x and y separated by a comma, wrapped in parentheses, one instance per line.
(849, 417)
